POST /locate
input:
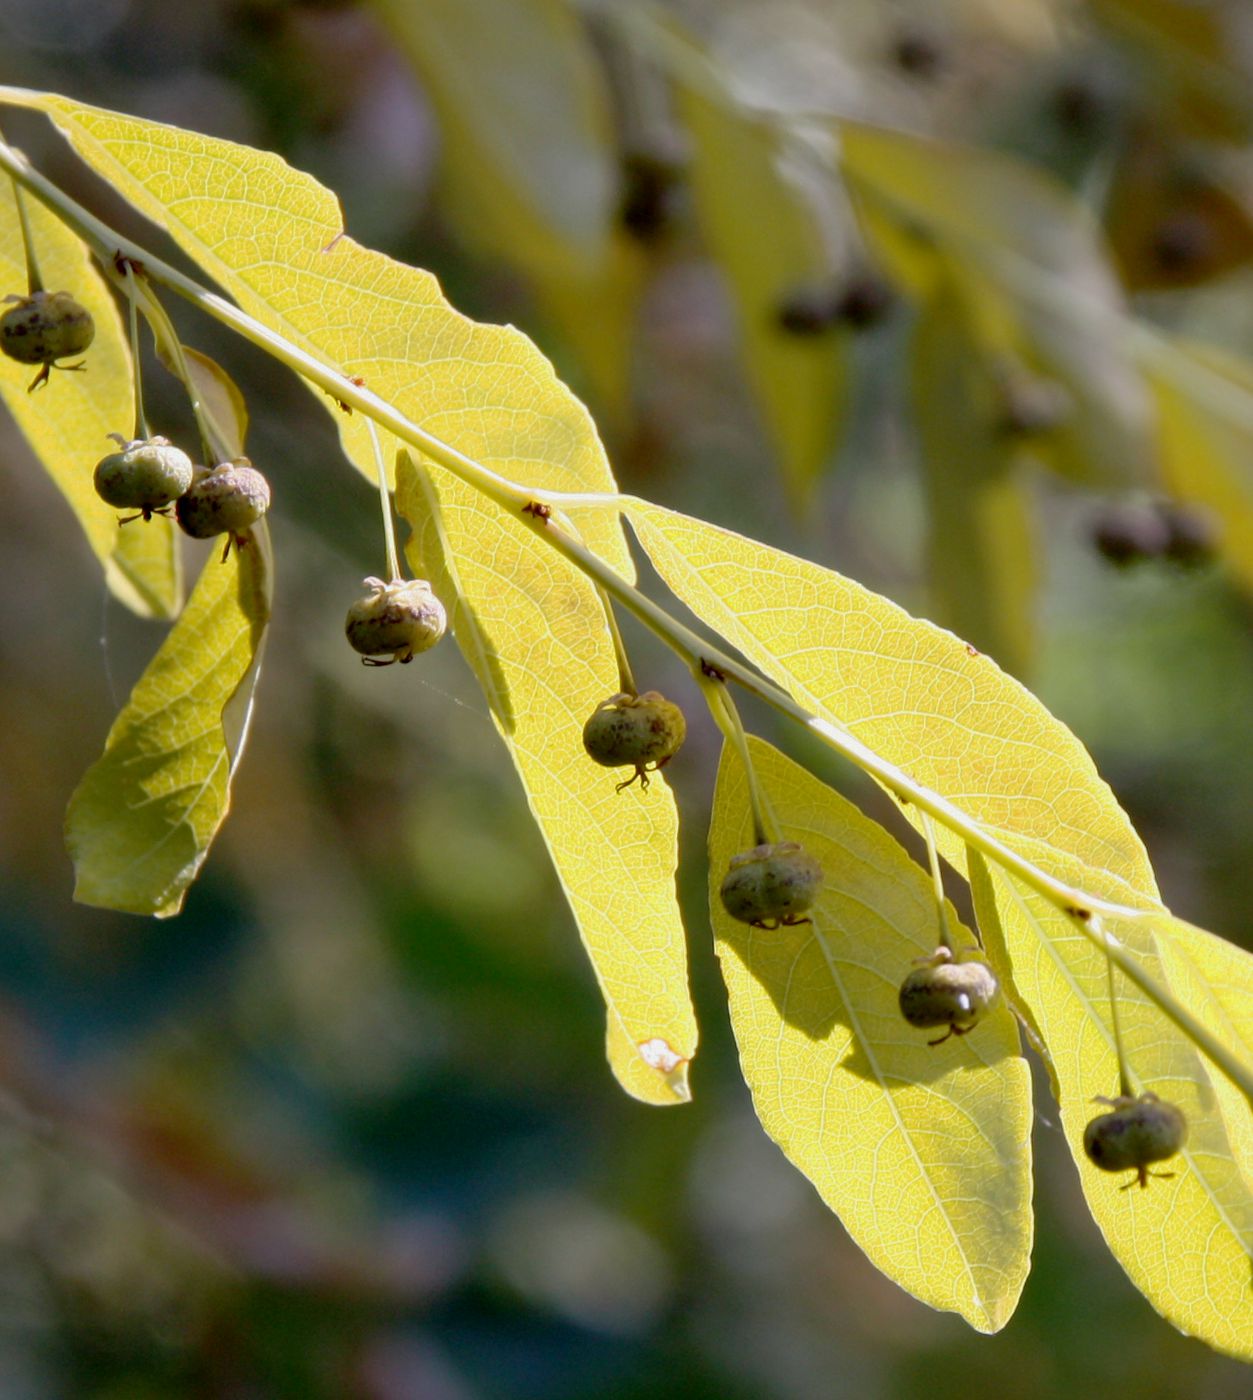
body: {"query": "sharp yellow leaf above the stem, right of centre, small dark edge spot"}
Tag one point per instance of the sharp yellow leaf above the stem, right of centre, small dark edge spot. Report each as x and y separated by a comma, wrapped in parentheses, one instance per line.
(909, 691)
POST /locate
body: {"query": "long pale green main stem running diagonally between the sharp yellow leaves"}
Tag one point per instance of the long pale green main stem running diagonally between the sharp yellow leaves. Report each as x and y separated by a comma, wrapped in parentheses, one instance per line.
(107, 244)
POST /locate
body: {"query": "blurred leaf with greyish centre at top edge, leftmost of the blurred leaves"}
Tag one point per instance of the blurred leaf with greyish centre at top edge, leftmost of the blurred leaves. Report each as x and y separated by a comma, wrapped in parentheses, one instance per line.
(528, 162)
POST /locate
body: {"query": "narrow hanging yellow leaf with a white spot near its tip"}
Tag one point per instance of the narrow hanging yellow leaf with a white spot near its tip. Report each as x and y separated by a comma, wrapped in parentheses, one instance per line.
(533, 629)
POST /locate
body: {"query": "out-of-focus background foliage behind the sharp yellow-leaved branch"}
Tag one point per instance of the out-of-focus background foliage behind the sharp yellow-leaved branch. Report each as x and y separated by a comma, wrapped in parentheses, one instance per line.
(345, 1128)
